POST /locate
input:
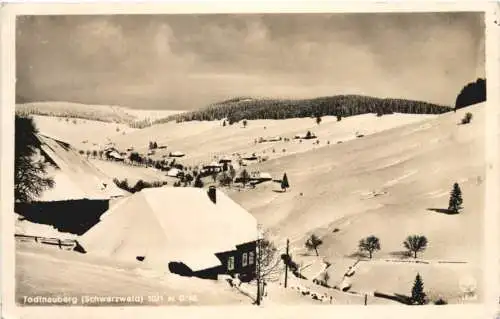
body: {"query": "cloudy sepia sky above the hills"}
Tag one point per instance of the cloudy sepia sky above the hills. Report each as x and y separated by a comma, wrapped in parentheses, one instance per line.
(188, 61)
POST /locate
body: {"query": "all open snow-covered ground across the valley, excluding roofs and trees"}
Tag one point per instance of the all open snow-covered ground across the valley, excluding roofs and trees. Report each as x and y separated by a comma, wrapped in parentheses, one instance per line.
(391, 183)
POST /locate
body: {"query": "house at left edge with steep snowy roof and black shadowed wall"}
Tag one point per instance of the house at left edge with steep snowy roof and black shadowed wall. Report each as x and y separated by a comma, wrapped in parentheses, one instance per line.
(81, 192)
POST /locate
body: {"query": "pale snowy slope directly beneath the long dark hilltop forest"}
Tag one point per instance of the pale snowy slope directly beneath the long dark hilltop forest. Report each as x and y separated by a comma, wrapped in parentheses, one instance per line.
(202, 140)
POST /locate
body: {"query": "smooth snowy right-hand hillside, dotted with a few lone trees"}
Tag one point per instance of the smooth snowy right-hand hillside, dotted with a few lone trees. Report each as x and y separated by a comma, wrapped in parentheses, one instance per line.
(390, 184)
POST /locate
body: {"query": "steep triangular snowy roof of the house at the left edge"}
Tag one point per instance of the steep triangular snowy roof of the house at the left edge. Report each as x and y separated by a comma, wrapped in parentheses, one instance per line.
(74, 176)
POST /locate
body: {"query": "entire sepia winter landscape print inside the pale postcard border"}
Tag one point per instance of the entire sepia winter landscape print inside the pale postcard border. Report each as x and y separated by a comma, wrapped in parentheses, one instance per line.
(250, 159)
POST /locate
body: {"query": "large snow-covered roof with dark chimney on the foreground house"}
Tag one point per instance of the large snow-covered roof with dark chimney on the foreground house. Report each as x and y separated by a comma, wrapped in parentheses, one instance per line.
(171, 224)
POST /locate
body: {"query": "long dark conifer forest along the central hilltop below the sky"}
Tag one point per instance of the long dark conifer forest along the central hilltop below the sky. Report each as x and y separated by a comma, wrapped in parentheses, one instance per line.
(340, 105)
